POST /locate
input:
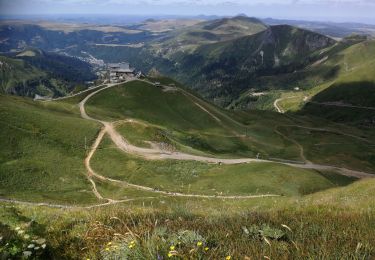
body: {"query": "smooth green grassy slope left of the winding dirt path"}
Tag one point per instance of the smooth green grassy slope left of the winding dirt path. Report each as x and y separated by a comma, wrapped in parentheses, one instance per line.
(42, 152)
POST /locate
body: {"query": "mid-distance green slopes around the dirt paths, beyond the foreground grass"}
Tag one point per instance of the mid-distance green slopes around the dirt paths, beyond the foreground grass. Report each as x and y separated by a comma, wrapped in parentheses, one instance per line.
(179, 121)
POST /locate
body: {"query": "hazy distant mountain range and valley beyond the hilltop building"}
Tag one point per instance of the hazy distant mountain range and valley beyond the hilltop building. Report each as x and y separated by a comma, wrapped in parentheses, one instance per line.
(223, 59)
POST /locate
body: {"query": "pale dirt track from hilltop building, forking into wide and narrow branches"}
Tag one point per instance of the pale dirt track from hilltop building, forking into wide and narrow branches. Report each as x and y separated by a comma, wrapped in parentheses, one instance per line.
(157, 154)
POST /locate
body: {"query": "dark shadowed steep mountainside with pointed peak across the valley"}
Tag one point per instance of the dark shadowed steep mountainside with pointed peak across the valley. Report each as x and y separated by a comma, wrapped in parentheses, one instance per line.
(227, 68)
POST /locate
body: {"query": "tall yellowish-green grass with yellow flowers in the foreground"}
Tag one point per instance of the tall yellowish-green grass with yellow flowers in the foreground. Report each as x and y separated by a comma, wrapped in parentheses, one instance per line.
(333, 224)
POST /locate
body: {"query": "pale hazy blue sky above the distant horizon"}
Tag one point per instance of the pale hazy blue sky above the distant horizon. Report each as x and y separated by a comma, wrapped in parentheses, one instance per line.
(319, 10)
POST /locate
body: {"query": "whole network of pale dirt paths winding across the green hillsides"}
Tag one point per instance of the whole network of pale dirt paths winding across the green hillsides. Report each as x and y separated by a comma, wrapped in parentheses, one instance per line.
(158, 154)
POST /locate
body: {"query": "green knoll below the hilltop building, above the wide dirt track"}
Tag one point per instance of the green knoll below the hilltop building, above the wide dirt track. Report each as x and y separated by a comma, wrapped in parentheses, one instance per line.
(175, 120)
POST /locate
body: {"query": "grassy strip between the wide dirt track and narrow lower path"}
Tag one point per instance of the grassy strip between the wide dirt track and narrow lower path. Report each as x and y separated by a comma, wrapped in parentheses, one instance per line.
(202, 178)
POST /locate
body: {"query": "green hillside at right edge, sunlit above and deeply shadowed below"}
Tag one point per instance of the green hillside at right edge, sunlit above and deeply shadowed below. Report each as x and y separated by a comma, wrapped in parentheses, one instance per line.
(339, 87)
